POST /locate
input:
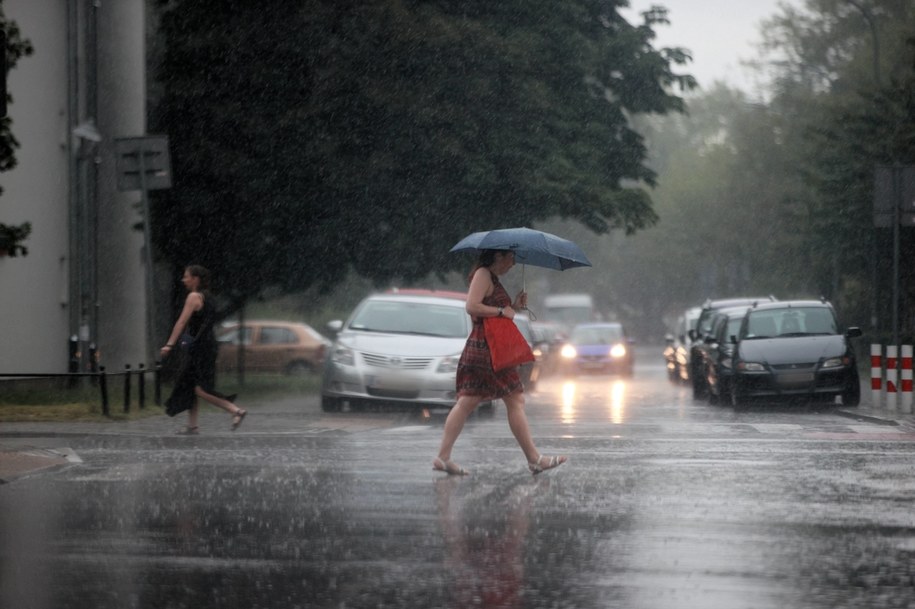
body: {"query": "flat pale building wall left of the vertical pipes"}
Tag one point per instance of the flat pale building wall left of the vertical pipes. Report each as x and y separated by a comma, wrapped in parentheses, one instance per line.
(34, 295)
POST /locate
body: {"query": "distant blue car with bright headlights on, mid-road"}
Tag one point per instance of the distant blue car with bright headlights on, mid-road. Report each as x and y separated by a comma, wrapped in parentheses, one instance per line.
(601, 347)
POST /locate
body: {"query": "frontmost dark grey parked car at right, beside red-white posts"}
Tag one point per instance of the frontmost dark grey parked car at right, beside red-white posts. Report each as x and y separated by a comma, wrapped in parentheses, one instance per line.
(794, 349)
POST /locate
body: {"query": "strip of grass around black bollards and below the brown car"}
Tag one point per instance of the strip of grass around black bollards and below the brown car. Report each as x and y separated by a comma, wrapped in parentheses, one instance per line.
(44, 402)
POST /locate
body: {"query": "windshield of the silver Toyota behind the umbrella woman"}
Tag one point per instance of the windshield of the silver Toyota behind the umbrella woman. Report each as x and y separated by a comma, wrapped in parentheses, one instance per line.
(411, 318)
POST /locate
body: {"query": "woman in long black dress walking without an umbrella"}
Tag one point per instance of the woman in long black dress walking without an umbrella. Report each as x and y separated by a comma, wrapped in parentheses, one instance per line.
(198, 375)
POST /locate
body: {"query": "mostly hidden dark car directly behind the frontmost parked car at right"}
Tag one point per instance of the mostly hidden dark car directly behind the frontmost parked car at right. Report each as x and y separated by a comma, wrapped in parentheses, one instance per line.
(717, 351)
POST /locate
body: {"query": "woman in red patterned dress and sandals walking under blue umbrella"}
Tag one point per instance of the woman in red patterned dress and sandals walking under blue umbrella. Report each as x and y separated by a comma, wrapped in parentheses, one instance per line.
(476, 379)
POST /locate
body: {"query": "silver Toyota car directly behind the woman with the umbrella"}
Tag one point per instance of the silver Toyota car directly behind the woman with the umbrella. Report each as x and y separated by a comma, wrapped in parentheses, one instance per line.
(399, 347)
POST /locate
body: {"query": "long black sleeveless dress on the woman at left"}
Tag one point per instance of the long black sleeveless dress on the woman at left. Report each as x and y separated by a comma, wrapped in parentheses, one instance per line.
(198, 367)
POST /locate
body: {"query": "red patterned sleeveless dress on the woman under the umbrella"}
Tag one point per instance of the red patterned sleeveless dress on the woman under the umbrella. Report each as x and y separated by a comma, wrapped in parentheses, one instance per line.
(475, 375)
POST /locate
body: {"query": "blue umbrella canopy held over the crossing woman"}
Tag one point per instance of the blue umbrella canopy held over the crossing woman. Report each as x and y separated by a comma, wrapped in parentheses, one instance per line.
(530, 246)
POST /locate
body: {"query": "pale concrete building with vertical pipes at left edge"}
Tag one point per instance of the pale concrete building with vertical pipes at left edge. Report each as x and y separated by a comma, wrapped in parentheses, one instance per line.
(84, 275)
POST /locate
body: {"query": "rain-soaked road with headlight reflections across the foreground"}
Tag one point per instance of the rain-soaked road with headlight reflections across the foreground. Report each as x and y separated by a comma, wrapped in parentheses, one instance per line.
(665, 503)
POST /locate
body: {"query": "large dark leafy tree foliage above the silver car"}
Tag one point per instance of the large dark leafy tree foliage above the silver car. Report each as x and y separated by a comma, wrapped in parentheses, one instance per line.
(310, 138)
